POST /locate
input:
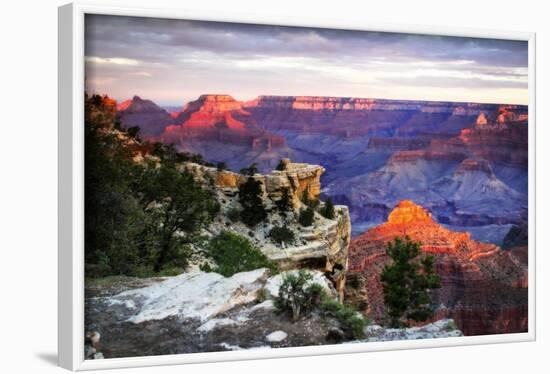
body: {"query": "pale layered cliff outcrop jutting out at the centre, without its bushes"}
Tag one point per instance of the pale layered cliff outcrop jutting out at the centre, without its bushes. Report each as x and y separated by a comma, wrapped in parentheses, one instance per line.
(322, 246)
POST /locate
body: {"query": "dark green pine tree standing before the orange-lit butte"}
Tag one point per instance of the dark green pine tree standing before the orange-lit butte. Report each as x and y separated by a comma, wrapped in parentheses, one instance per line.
(408, 283)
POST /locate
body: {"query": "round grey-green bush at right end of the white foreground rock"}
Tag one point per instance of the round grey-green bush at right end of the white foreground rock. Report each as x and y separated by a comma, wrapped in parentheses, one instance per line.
(296, 297)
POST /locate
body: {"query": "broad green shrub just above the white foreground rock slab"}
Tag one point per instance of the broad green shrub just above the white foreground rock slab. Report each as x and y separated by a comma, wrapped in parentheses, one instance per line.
(233, 253)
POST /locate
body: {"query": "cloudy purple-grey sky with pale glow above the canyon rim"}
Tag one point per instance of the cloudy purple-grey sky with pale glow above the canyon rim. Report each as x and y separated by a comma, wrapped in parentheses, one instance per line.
(173, 62)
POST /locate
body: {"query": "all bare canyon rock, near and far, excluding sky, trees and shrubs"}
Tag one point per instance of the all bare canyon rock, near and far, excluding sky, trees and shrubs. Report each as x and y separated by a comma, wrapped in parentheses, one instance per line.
(451, 176)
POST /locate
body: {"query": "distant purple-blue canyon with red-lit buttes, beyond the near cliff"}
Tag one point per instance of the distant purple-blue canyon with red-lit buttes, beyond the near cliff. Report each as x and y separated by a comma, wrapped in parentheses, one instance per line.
(466, 162)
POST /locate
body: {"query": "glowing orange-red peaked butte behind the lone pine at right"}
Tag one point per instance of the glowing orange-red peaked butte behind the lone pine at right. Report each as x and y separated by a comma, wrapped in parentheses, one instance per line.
(484, 289)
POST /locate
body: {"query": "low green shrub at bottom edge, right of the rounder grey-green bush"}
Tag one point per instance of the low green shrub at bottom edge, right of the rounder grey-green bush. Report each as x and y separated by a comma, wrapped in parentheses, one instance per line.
(351, 321)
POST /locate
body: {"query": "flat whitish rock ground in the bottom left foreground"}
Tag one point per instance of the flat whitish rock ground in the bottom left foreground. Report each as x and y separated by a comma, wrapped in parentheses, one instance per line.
(199, 312)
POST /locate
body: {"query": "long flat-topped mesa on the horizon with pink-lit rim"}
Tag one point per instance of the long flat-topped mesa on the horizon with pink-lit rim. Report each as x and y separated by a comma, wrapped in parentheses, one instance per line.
(358, 116)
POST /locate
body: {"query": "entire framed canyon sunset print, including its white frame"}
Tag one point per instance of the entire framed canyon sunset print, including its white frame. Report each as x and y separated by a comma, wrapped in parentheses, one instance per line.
(235, 187)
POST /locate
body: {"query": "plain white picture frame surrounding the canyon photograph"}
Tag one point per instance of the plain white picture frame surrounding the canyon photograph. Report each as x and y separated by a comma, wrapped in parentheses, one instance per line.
(71, 187)
